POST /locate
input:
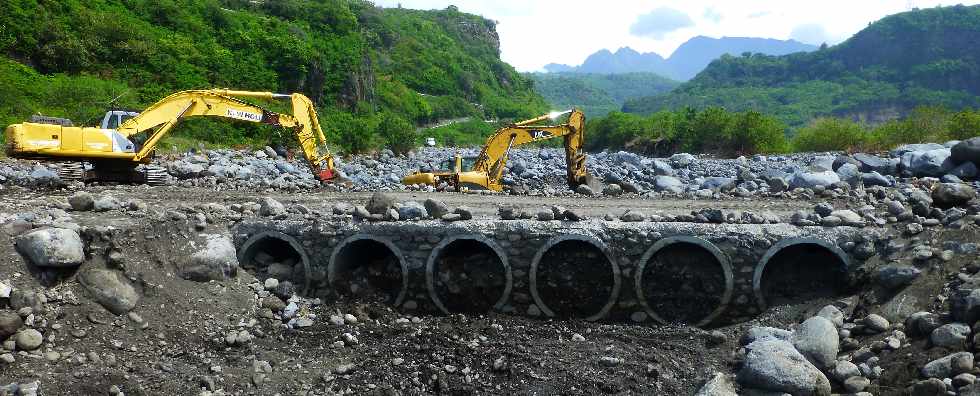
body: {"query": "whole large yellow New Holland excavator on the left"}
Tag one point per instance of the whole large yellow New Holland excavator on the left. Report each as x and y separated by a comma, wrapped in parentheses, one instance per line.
(115, 157)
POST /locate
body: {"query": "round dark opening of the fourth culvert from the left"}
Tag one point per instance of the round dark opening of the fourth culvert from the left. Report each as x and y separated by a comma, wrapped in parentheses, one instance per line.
(574, 278)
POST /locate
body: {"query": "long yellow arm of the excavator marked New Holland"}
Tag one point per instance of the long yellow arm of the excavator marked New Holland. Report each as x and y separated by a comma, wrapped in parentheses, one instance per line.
(162, 116)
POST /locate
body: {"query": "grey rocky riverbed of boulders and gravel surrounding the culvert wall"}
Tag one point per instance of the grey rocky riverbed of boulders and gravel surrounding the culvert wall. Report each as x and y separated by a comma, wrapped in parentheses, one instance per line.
(138, 290)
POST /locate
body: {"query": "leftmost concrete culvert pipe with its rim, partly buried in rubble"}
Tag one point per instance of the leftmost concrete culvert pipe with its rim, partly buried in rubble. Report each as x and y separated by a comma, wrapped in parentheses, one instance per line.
(273, 254)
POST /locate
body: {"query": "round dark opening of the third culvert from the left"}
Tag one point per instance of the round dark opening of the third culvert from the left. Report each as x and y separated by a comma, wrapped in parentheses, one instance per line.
(469, 277)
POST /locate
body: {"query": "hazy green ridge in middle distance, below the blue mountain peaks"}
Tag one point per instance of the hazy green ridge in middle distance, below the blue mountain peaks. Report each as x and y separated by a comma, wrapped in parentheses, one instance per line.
(598, 94)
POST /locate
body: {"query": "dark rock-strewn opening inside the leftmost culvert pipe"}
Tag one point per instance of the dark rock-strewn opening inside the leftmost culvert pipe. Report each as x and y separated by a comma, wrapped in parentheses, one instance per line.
(274, 257)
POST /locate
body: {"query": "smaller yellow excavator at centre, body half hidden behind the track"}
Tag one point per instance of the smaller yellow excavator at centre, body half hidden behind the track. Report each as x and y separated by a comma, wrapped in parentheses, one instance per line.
(484, 172)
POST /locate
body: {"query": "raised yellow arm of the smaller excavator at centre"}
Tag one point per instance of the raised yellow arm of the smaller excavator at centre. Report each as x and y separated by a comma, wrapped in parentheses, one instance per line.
(493, 158)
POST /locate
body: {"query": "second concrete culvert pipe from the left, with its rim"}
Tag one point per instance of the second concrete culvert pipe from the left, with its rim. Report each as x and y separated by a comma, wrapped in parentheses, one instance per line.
(368, 267)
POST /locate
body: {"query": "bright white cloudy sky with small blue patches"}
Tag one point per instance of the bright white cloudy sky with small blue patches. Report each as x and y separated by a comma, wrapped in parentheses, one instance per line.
(534, 33)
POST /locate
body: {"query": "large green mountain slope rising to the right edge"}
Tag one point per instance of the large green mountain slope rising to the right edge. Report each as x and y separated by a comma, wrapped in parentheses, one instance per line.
(921, 57)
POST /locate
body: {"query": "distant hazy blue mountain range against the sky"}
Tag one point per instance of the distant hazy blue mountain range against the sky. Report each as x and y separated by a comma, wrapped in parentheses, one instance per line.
(686, 62)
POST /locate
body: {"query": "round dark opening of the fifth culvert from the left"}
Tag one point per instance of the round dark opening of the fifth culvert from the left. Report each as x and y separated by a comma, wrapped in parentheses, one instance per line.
(683, 283)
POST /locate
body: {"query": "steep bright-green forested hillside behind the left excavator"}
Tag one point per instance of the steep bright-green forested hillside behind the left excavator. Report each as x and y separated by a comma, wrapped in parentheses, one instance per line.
(375, 73)
